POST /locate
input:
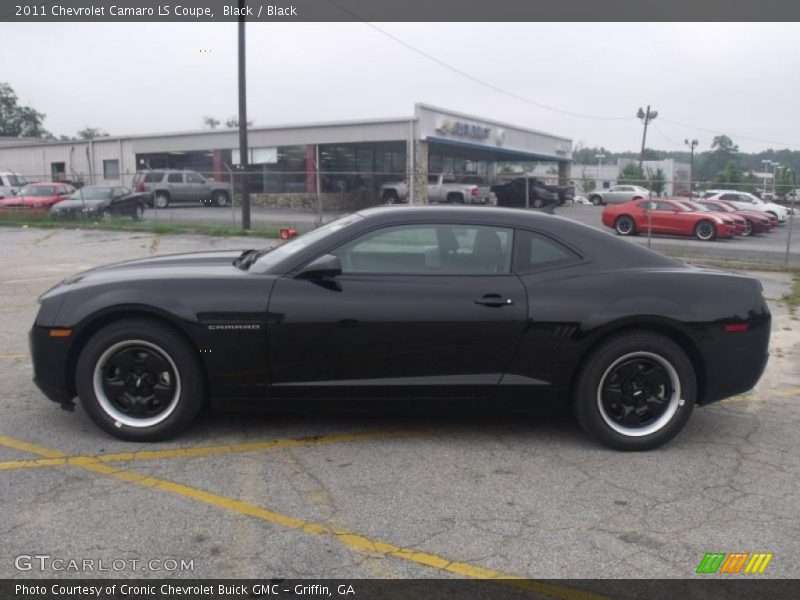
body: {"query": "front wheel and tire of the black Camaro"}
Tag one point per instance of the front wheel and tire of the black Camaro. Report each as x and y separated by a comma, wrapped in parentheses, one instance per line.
(139, 356)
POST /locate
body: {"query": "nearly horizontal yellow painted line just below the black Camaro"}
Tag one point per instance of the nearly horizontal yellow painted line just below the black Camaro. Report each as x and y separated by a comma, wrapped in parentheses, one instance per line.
(279, 444)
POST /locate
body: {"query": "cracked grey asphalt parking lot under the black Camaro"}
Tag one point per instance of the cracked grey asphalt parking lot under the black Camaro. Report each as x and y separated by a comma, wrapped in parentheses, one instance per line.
(392, 493)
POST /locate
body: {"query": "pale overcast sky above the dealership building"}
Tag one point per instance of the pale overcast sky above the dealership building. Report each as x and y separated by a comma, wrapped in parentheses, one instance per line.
(126, 78)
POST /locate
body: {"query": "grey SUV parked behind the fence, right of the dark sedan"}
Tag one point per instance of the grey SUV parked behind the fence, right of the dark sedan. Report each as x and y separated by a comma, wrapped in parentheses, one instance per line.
(170, 185)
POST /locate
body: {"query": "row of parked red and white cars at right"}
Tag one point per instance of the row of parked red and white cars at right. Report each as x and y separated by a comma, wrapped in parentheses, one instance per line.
(705, 219)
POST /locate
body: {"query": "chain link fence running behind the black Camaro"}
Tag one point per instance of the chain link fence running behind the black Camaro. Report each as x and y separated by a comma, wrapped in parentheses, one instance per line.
(303, 200)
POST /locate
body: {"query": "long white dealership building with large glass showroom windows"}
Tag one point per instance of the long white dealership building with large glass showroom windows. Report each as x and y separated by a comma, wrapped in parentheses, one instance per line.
(346, 157)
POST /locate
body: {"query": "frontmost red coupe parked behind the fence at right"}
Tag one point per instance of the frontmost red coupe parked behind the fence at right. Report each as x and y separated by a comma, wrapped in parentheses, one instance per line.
(668, 217)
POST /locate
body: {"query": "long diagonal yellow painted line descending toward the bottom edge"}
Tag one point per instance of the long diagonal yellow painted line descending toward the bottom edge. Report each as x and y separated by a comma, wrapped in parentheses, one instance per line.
(350, 539)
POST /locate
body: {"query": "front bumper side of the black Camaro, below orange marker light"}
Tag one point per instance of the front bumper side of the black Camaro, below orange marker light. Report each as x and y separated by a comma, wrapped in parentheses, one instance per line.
(50, 356)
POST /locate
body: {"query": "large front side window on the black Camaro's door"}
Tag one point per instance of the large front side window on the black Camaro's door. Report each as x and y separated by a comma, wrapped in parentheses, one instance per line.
(429, 249)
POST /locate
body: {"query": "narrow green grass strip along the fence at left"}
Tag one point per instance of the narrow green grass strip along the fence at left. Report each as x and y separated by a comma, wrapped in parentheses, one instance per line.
(45, 221)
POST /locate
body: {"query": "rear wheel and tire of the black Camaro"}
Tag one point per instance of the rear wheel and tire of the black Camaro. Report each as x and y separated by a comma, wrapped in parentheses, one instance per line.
(622, 420)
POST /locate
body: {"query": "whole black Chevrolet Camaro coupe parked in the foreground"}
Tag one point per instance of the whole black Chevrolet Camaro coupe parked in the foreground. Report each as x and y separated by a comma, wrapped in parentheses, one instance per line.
(407, 302)
